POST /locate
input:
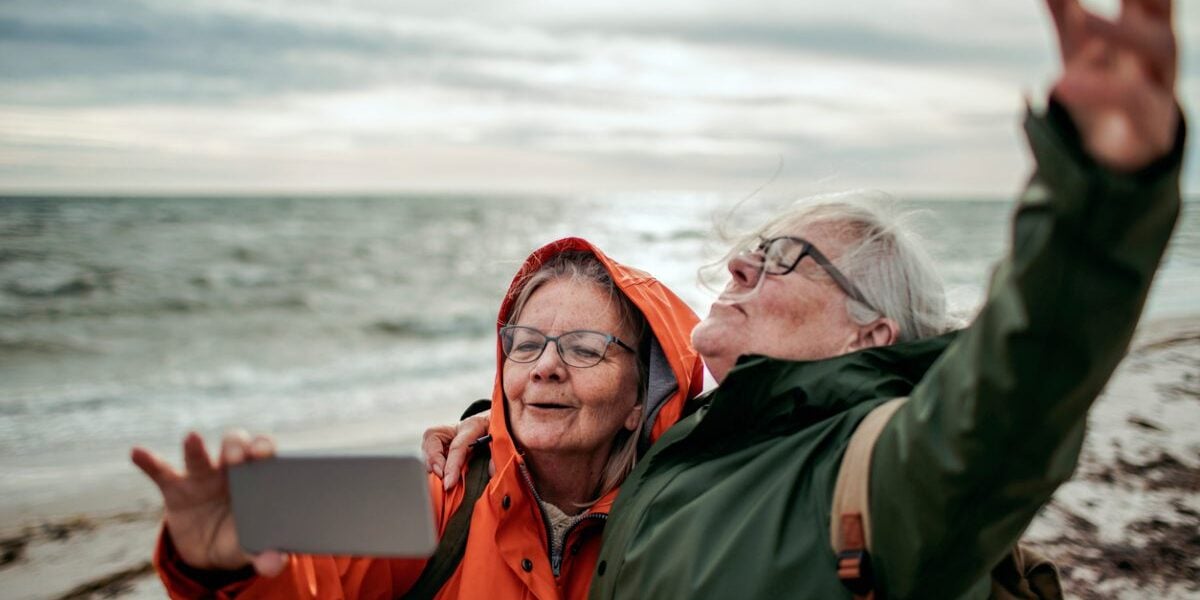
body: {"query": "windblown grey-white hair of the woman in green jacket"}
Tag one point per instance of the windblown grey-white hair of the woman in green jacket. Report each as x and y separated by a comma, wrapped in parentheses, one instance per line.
(881, 254)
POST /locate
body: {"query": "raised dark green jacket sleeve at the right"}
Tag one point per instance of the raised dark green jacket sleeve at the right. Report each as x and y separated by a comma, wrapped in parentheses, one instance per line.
(998, 424)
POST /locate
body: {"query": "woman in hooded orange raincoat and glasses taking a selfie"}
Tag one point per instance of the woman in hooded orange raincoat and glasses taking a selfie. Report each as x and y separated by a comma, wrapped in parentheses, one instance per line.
(595, 363)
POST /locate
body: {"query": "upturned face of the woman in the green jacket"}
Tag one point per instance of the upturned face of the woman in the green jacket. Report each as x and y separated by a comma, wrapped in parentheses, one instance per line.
(801, 316)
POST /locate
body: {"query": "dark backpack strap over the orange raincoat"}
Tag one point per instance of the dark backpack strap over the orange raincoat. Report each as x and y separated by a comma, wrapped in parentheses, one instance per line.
(453, 545)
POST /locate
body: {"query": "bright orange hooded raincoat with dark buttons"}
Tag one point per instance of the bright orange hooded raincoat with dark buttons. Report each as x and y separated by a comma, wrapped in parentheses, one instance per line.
(508, 555)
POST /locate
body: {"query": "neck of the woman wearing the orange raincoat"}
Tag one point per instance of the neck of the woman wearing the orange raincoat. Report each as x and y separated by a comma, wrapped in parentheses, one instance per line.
(568, 482)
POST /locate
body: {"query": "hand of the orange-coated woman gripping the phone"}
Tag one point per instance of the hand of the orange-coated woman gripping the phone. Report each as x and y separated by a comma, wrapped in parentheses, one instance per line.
(197, 507)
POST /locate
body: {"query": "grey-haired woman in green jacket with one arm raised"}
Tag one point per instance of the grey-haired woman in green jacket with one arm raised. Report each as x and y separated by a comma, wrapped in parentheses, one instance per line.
(831, 314)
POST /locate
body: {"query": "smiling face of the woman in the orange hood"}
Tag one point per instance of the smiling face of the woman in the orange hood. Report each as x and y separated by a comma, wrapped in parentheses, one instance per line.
(563, 410)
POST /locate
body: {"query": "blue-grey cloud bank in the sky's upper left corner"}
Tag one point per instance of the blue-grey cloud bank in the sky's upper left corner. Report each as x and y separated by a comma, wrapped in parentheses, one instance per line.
(127, 52)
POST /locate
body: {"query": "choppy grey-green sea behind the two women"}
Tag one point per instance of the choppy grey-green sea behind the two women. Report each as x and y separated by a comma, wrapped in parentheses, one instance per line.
(337, 321)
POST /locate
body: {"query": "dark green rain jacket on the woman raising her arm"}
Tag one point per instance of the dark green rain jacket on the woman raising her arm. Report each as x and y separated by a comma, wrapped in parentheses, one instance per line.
(735, 501)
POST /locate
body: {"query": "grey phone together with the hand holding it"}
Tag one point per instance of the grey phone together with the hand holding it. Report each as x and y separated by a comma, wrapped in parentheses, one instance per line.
(247, 506)
